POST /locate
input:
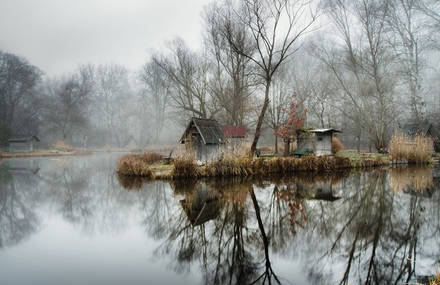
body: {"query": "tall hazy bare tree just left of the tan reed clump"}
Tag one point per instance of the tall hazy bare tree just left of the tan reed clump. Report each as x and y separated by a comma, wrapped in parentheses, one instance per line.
(364, 65)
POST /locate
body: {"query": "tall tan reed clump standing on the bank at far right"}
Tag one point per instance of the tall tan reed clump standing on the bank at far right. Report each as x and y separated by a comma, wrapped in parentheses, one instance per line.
(415, 150)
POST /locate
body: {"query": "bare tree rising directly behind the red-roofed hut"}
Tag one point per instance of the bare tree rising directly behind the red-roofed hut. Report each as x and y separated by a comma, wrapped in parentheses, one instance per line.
(232, 78)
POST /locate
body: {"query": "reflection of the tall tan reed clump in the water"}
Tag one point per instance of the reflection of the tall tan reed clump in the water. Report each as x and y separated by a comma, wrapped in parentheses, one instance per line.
(417, 179)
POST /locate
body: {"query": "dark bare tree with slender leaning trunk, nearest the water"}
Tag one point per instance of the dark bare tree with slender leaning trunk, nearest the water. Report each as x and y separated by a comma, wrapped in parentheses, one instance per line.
(275, 27)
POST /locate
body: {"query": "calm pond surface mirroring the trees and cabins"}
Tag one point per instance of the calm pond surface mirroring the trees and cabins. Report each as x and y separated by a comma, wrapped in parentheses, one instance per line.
(74, 221)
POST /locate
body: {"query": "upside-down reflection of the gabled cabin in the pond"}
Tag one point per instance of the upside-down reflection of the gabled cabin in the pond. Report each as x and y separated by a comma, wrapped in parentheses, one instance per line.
(201, 206)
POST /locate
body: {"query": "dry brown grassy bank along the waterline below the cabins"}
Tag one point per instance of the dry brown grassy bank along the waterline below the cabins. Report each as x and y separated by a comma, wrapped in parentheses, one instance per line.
(239, 165)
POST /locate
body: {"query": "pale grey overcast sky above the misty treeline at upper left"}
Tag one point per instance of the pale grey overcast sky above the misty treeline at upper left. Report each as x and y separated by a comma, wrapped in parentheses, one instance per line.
(58, 35)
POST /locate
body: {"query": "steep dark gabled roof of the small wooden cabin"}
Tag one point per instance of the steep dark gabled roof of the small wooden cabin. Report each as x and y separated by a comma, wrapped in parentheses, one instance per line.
(209, 130)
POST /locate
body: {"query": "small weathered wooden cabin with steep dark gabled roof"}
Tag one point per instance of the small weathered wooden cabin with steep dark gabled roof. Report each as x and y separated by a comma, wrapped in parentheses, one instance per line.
(204, 137)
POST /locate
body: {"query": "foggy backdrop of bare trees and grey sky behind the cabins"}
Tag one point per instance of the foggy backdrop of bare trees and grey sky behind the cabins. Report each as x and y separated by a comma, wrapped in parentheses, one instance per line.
(130, 74)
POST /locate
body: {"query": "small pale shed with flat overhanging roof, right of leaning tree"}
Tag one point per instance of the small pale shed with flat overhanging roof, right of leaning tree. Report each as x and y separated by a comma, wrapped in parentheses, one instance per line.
(317, 141)
